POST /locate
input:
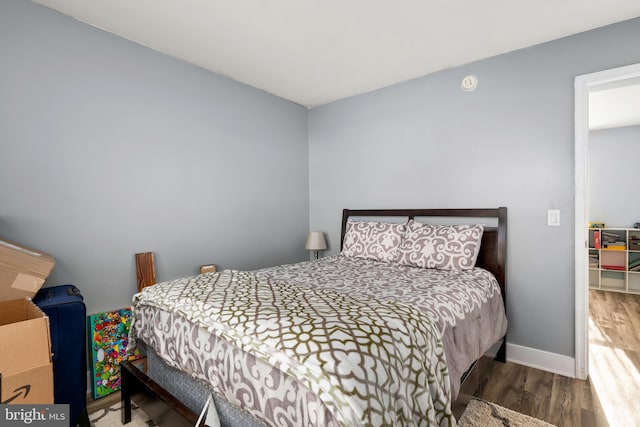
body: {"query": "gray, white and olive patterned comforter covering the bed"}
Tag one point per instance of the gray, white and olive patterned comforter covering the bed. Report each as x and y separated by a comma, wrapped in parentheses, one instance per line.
(334, 342)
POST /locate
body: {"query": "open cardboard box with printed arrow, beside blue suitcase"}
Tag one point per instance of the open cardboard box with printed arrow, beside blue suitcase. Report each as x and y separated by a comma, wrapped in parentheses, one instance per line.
(26, 371)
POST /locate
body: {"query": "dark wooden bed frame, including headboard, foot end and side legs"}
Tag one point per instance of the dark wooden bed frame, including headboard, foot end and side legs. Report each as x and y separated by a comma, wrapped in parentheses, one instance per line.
(492, 257)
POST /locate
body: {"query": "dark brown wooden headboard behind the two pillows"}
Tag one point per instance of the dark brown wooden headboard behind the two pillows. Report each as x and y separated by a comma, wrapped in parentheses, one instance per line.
(493, 251)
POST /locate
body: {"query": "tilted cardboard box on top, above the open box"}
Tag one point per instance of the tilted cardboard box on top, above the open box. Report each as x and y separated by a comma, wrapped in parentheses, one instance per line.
(22, 270)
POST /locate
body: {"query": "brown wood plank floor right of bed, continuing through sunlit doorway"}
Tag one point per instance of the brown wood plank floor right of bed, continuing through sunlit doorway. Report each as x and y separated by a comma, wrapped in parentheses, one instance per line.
(611, 396)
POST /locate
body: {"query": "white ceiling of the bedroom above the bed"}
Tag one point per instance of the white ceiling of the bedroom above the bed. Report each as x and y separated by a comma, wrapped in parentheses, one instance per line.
(316, 51)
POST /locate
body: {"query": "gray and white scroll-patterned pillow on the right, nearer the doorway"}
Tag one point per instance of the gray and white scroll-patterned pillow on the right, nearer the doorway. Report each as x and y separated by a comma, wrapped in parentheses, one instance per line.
(443, 247)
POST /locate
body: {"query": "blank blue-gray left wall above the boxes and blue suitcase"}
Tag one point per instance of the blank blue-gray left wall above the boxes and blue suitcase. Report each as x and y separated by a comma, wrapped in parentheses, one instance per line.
(108, 148)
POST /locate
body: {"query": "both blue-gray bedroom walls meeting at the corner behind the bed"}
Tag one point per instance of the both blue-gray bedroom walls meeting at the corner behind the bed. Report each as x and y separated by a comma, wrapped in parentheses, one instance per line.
(108, 148)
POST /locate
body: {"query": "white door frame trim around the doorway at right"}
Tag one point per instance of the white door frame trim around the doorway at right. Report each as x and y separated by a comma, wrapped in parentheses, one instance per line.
(583, 84)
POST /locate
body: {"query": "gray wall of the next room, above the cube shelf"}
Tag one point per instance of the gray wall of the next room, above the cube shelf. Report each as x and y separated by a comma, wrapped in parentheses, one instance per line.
(613, 174)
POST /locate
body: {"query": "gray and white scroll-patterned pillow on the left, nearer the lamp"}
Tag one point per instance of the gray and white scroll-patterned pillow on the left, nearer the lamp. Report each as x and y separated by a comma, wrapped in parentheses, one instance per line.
(373, 240)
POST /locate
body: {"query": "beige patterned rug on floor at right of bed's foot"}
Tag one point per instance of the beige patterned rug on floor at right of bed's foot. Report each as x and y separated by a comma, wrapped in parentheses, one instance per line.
(484, 414)
